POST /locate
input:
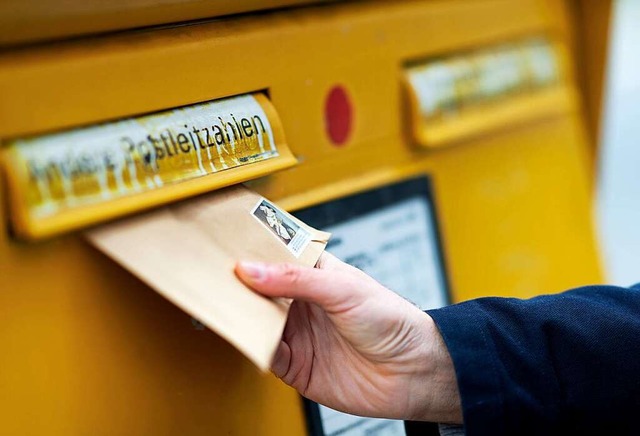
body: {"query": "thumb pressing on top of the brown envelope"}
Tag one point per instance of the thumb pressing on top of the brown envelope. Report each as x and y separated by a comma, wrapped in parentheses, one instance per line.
(331, 289)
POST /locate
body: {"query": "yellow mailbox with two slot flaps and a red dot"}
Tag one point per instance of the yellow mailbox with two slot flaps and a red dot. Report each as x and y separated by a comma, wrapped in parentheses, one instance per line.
(359, 96)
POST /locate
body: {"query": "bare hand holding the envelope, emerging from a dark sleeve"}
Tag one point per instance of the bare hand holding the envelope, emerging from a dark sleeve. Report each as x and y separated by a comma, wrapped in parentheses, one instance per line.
(355, 346)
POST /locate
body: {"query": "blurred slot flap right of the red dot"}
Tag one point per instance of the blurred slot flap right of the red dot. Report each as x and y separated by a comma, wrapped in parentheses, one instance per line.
(458, 96)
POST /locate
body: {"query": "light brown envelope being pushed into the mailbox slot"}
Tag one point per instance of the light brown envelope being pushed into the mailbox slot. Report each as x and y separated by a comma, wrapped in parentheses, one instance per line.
(187, 253)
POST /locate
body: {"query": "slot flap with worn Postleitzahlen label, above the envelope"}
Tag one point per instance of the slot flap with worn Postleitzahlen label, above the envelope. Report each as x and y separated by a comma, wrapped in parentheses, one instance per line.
(67, 180)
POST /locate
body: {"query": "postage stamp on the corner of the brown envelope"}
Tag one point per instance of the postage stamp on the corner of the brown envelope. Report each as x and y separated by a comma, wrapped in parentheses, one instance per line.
(294, 237)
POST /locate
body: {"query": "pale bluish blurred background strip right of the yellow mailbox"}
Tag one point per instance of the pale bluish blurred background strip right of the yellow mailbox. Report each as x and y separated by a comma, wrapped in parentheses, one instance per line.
(618, 206)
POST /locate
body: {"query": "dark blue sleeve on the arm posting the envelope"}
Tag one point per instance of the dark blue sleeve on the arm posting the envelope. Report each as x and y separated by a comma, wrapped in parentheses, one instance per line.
(555, 364)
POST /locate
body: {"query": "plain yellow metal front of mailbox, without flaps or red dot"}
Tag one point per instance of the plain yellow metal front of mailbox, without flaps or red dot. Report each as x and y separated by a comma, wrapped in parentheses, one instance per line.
(88, 349)
